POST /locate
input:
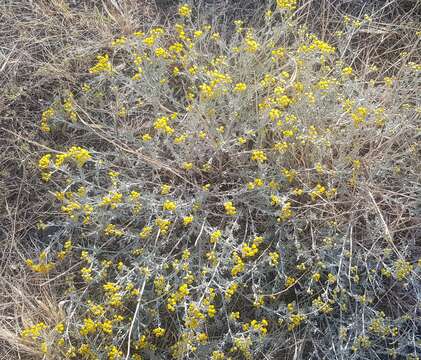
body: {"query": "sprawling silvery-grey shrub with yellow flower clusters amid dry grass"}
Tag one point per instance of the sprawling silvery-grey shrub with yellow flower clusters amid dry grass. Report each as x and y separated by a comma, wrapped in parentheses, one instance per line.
(244, 195)
